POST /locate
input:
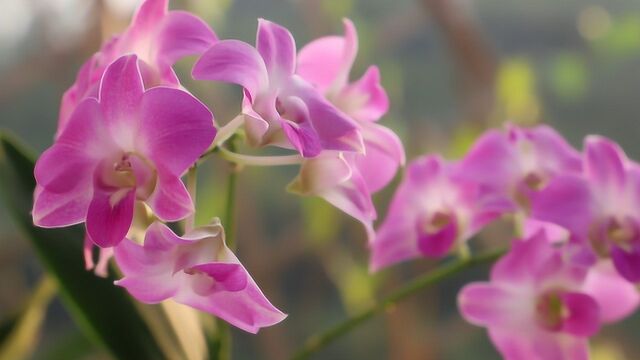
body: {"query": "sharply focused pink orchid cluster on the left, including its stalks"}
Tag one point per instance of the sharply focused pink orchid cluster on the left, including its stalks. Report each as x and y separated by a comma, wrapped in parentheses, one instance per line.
(129, 131)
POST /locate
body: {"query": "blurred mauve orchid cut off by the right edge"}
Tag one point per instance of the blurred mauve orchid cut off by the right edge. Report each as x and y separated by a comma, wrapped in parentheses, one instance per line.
(600, 206)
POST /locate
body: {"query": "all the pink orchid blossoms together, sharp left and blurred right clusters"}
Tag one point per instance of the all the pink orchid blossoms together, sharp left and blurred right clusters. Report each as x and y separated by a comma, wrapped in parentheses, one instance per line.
(129, 131)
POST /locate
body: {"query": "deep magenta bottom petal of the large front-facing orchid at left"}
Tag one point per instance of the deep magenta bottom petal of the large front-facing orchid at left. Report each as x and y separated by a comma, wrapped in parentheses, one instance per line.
(110, 215)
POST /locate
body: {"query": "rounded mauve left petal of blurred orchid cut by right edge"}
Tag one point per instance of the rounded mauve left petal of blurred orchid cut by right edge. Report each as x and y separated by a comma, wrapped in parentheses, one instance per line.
(566, 201)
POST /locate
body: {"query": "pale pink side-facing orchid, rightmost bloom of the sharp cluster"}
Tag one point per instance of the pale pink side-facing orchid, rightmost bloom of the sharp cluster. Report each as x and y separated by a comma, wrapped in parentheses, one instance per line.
(347, 180)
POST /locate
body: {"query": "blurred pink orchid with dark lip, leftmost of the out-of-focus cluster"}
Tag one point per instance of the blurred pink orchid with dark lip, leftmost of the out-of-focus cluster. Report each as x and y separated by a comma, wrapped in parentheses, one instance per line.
(434, 209)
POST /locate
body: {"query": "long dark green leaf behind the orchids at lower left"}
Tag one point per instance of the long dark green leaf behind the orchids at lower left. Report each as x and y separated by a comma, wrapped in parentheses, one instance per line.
(104, 311)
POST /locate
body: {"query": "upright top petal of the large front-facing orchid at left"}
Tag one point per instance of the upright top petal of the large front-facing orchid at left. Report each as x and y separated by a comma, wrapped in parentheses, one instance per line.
(121, 89)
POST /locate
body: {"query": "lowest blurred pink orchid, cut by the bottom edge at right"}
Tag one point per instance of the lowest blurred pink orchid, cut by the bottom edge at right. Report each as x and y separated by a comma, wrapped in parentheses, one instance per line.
(535, 306)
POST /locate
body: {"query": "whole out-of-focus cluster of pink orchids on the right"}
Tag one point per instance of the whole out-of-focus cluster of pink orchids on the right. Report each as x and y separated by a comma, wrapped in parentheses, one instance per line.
(576, 262)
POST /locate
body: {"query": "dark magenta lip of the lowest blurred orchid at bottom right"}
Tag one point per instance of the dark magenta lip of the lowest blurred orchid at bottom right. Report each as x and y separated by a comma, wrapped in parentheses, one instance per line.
(584, 314)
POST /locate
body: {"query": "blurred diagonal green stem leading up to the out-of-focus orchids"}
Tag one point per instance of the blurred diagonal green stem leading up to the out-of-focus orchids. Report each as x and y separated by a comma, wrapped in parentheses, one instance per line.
(319, 341)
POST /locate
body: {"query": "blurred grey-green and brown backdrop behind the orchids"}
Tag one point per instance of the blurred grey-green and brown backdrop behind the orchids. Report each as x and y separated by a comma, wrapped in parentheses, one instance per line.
(451, 67)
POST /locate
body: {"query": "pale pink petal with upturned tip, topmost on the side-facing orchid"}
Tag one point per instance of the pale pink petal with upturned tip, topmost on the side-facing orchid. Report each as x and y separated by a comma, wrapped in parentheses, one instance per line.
(327, 61)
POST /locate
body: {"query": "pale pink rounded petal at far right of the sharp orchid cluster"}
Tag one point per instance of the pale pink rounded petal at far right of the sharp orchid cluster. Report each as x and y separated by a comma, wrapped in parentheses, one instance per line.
(384, 154)
